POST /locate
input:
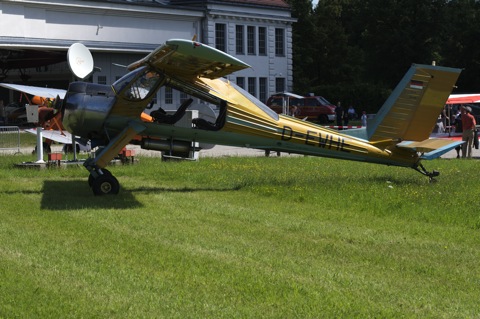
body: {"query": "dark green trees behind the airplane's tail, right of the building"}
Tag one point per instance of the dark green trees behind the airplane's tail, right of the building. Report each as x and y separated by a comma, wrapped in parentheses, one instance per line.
(347, 44)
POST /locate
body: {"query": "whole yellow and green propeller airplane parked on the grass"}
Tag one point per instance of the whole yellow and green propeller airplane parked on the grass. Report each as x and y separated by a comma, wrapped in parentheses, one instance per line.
(111, 116)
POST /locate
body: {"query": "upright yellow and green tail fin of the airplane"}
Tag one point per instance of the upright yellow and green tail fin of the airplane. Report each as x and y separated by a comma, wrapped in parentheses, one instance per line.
(411, 111)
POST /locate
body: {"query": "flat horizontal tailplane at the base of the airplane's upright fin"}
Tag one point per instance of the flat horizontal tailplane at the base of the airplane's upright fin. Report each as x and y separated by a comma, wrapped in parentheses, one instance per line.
(431, 148)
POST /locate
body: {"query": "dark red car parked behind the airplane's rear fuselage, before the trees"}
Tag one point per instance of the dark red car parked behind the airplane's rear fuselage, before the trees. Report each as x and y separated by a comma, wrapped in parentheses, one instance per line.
(313, 108)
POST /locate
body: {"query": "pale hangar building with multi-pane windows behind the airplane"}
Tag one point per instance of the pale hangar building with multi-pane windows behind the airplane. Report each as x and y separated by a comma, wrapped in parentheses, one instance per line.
(119, 32)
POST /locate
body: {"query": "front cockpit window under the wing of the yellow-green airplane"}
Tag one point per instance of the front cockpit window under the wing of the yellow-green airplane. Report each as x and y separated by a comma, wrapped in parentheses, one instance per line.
(138, 84)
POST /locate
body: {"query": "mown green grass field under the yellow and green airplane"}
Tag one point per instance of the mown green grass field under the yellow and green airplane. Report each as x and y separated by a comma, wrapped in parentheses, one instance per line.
(295, 237)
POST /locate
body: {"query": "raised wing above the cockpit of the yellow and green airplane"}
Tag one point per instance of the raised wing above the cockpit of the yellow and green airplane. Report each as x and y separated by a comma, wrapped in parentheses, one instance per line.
(189, 59)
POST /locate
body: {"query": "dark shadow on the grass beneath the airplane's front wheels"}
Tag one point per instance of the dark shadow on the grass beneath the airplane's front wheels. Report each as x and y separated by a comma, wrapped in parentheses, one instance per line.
(75, 194)
